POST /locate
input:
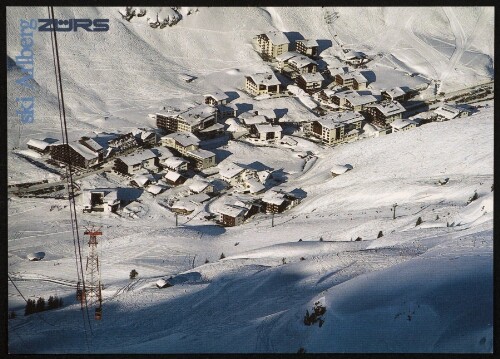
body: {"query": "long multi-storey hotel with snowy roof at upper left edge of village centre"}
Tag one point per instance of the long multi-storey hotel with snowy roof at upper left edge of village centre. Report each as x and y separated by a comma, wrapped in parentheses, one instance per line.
(192, 120)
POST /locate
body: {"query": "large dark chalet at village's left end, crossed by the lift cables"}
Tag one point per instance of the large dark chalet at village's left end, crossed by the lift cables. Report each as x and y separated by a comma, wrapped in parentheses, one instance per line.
(76, 154)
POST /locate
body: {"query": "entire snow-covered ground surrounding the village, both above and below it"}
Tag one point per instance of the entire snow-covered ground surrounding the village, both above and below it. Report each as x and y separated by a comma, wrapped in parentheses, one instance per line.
(425, 288)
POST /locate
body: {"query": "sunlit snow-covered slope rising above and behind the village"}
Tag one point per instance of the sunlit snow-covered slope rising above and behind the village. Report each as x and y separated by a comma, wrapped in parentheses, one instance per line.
(133, 68)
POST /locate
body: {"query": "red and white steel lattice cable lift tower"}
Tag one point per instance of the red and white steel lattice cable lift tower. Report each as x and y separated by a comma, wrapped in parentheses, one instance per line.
(92, 278)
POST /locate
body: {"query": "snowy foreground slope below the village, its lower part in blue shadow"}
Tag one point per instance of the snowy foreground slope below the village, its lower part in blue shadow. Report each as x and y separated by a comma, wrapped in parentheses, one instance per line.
(425, 288)
